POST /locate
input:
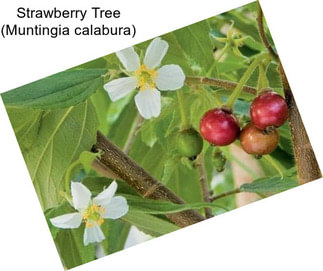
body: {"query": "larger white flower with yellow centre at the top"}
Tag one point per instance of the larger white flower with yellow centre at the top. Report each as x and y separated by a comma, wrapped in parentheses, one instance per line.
(146, 77)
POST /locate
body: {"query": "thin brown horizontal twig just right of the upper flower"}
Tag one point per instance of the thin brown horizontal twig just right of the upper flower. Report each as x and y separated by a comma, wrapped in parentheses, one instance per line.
(227, 85)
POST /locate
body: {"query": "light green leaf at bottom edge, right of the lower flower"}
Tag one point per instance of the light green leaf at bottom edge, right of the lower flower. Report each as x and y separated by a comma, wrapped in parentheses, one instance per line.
(149, 224)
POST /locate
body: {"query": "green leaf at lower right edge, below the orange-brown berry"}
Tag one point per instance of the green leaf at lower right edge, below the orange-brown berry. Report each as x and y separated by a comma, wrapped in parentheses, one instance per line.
(274, 184)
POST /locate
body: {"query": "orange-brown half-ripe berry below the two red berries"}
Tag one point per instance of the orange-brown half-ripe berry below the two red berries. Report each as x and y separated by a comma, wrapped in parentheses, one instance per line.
(256, 141)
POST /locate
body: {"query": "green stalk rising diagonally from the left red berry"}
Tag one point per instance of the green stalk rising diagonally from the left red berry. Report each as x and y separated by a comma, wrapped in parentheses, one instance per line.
(236, 92)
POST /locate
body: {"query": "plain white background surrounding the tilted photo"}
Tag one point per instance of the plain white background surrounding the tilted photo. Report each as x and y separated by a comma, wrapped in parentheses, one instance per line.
(283, 232)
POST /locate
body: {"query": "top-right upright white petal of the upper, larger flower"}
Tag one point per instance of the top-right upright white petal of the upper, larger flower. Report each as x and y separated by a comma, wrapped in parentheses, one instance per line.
(155, 53)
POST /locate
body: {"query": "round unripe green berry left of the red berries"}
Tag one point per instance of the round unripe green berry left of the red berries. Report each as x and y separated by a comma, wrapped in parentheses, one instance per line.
(189, 143)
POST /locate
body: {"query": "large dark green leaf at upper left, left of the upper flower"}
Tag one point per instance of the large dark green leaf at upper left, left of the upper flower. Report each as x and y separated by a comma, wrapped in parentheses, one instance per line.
(60, 90)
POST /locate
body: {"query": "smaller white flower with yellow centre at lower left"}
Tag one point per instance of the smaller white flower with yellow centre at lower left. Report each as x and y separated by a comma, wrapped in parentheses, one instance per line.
(92, 211)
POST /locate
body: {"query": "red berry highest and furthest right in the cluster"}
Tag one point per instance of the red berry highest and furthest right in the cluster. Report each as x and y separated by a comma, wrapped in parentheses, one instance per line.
(268, 109)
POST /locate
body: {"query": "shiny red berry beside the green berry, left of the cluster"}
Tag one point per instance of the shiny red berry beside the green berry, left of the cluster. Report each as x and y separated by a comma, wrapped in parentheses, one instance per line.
(219, 127)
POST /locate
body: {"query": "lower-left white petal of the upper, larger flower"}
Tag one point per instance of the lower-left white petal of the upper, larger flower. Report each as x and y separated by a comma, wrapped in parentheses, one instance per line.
(119, 88)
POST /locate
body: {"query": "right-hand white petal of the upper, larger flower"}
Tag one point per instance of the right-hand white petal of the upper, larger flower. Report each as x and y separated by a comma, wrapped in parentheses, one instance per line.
(170, 77)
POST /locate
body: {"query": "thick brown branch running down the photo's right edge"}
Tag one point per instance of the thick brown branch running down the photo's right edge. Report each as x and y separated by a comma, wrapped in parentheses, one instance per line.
(306, 163)
